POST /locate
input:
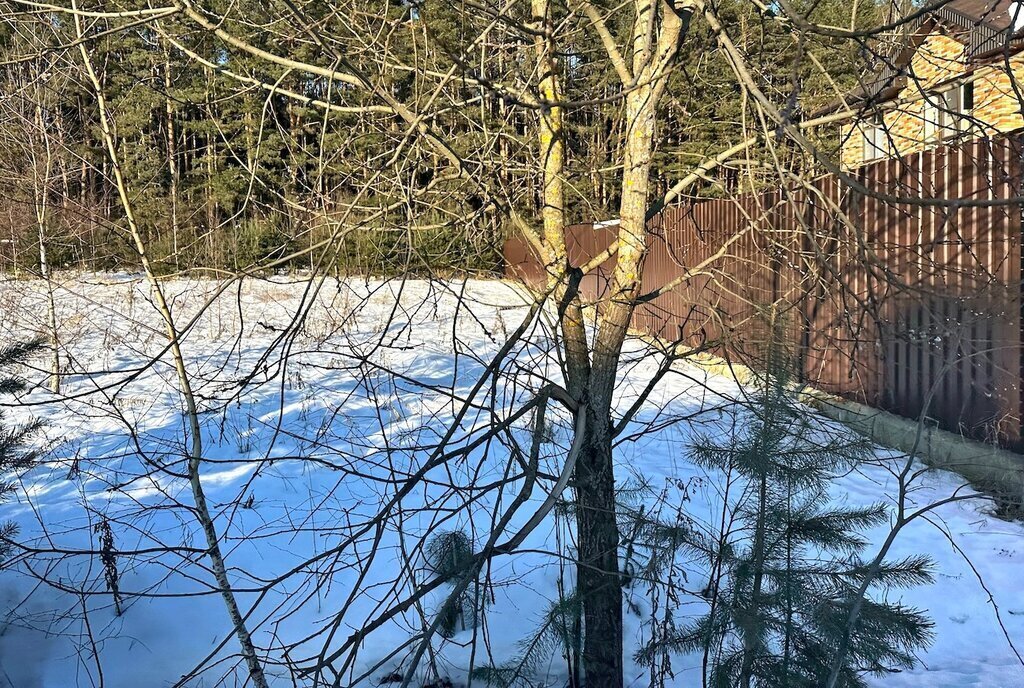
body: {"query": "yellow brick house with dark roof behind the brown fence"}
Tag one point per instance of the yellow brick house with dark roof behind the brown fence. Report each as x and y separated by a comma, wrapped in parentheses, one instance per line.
(957, 72)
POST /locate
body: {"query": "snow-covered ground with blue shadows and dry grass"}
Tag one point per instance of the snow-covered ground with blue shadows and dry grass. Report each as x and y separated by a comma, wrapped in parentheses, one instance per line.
(318, 402)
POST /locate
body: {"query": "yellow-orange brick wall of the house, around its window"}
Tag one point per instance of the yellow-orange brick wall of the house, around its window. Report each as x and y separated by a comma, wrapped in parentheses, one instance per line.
(938, 62)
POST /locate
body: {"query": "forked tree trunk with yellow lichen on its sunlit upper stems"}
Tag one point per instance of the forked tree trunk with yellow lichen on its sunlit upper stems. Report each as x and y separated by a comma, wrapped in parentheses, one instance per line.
(592, 372)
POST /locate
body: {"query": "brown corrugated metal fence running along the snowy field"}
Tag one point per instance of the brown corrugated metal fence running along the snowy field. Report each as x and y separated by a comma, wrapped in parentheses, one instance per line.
(892, 299)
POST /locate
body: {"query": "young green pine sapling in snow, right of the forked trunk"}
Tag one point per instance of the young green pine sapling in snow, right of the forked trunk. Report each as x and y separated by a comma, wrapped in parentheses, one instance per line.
(791, 567)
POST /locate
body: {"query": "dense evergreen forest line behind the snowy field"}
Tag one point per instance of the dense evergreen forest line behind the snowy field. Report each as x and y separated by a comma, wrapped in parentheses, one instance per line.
(234, 162)
